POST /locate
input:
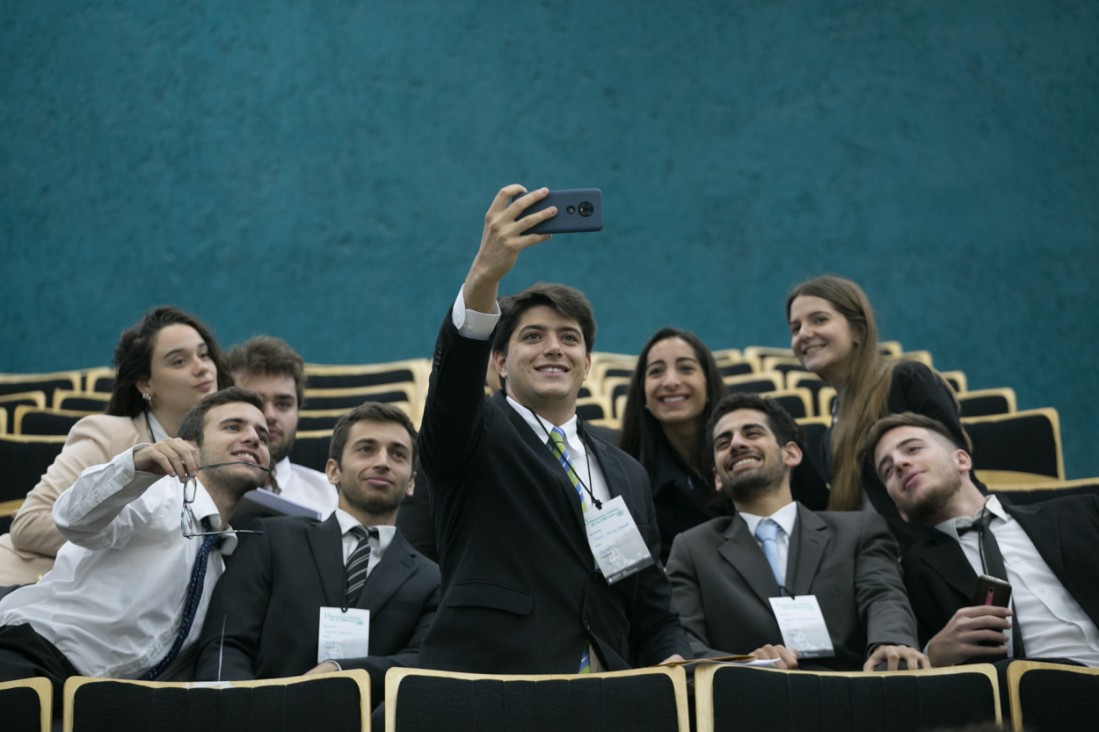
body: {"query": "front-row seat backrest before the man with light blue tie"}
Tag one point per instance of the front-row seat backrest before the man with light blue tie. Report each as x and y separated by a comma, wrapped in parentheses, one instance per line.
(752, 698)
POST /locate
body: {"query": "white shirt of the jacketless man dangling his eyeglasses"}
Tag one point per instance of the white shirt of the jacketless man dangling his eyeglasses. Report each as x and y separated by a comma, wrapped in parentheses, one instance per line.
(114, 602)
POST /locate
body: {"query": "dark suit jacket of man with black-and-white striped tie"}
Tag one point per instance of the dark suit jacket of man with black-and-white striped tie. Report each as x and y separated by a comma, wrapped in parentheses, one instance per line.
(271, 595)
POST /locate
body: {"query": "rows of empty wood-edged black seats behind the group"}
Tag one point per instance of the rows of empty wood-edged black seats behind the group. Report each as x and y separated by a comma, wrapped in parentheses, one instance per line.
(1014, 450)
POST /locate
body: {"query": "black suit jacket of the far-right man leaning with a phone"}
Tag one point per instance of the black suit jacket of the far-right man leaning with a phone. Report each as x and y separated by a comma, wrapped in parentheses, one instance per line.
(1065, 533)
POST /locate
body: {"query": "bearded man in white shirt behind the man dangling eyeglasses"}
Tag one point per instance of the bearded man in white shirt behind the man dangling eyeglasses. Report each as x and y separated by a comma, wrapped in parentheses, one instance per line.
(273, 370)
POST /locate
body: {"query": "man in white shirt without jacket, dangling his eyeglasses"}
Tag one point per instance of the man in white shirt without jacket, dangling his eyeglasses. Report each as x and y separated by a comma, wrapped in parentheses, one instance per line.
(127, 596)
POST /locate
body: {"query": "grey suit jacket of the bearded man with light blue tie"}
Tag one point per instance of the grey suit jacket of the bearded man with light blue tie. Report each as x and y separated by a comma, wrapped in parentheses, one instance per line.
(721, 584)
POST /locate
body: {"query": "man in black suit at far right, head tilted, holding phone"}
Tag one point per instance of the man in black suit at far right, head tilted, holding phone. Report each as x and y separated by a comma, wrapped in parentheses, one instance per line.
(1046, 551)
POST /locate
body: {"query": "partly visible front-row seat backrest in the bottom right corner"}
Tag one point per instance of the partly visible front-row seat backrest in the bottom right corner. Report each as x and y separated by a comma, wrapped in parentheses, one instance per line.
(1052, 696)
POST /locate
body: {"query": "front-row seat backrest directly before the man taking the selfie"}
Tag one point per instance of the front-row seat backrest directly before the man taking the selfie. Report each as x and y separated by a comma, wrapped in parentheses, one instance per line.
(423, 701)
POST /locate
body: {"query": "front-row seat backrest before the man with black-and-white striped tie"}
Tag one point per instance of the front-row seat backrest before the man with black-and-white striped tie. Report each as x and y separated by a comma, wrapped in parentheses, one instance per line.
(332, 703)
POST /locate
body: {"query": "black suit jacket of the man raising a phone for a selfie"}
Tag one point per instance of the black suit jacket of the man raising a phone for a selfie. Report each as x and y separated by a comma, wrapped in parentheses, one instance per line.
(521, 593)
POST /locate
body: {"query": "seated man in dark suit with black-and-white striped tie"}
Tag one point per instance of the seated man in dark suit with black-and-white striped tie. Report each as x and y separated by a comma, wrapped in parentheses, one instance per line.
(265, 620)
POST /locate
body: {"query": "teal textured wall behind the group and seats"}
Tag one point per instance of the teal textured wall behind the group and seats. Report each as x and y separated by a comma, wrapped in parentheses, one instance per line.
(319, 171)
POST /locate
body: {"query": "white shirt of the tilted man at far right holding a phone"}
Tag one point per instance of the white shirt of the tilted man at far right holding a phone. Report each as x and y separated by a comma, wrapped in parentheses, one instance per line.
(1053, 624)
